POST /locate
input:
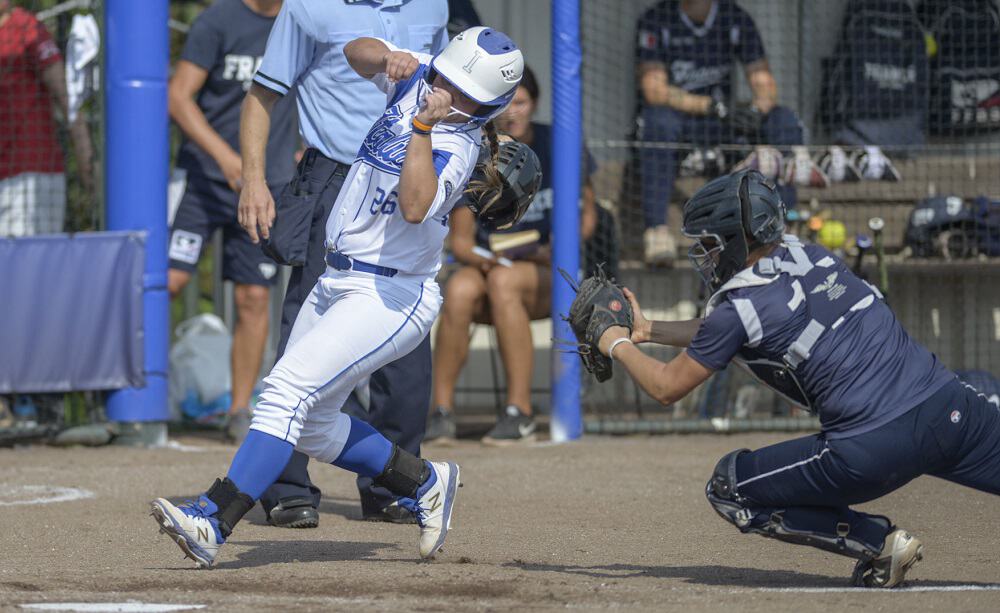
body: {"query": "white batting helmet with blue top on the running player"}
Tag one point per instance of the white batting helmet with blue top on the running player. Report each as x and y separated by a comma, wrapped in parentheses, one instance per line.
(485, 65)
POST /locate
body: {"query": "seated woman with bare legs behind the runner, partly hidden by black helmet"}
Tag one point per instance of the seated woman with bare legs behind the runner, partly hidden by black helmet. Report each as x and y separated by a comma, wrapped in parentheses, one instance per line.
(509, 297)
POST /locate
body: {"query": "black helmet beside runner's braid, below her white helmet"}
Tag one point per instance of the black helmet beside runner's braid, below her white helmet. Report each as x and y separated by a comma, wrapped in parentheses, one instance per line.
(522, 175)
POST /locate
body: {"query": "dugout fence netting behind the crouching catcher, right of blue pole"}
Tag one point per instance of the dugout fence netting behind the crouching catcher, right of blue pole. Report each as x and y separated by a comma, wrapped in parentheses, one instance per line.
(896, 166)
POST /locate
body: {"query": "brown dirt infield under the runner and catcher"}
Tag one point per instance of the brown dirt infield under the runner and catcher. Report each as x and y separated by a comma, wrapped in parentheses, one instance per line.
(608, 523)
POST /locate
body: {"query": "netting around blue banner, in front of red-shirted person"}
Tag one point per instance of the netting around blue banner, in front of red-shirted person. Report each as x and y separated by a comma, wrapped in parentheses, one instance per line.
(51, 151)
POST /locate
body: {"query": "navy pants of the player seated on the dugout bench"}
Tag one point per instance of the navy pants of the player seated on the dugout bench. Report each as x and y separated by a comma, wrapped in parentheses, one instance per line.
(659, 166)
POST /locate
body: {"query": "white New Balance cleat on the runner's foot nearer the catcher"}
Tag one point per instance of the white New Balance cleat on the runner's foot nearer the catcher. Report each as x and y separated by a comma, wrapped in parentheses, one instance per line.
(433, 506)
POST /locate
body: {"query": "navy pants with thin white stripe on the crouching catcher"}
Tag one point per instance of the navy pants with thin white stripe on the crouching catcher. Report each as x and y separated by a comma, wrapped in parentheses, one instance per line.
(954, 435)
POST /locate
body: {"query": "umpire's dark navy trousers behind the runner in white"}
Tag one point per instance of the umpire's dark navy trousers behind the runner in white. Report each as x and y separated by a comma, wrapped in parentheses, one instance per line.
(400, 391)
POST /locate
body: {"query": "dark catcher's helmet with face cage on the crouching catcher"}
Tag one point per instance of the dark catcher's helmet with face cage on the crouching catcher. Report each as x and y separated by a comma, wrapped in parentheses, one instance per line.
(728, 217)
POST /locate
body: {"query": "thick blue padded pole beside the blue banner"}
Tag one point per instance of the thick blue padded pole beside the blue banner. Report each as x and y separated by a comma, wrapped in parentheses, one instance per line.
(137, 60)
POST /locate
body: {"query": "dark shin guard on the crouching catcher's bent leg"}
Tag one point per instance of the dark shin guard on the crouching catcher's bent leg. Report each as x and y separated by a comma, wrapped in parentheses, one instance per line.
(840, 531)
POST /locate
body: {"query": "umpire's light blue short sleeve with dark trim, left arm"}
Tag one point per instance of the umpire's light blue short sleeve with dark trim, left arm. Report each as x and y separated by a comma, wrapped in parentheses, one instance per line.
(289, 52)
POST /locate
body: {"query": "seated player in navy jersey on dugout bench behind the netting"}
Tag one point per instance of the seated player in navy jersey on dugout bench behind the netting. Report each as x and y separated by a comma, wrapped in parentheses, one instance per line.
(686, 51)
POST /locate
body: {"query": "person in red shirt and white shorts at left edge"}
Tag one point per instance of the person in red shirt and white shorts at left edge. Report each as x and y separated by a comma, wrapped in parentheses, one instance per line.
(32, 86)
